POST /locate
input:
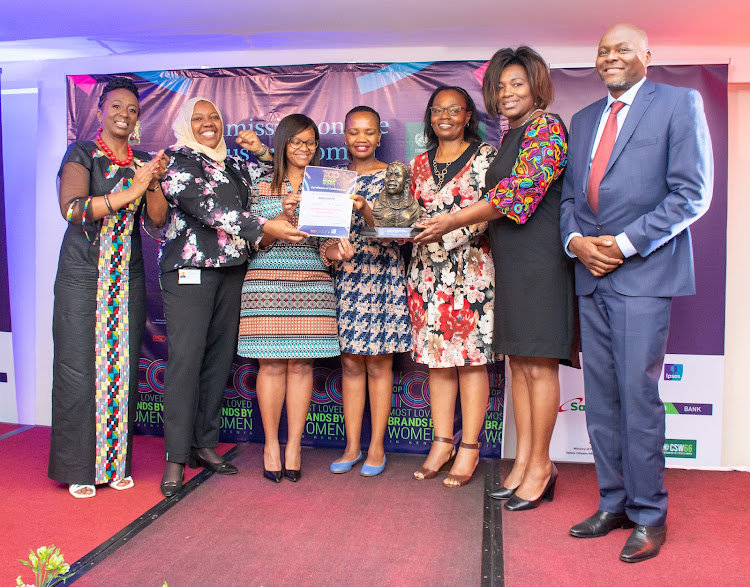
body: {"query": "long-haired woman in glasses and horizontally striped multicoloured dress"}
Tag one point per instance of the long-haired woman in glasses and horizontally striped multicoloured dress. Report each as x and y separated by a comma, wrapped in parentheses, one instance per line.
(288, 315)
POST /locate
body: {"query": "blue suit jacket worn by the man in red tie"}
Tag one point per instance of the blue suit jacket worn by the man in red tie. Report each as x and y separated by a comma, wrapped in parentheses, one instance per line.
(658, 181)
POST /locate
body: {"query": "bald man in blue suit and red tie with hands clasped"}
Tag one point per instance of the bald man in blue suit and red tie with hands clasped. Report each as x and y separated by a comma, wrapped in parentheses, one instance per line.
(640, 171)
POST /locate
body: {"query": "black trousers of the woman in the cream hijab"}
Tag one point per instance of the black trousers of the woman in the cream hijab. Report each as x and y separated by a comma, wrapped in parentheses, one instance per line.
(202, 325)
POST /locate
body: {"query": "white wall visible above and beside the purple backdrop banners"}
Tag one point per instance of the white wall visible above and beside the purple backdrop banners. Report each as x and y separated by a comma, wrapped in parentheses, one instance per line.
(49, 78)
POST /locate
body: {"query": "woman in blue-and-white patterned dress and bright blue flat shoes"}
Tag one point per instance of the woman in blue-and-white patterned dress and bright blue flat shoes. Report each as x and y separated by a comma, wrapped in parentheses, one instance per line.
(373, 317)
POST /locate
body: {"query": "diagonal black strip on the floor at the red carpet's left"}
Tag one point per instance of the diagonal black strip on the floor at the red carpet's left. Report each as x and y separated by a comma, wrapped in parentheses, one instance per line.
(101, 552)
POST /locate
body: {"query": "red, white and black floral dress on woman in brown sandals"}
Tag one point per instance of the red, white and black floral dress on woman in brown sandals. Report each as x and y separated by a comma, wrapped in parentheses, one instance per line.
(451, 284)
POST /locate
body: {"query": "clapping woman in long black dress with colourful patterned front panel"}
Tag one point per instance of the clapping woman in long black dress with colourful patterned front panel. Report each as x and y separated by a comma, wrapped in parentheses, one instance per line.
(100, 306)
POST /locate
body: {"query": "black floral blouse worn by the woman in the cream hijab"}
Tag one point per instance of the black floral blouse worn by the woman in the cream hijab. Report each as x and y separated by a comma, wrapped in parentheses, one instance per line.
(209, 224)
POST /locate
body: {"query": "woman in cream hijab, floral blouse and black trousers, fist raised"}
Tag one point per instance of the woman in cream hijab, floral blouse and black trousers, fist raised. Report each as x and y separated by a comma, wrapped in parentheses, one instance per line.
(202, 264)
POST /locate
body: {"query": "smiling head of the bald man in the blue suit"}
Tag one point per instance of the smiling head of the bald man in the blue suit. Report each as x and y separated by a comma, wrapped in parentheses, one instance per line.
(622, 58)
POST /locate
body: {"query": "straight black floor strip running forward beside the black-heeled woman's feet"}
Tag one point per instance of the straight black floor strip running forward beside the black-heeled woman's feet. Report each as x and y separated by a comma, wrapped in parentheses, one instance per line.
(493, 570)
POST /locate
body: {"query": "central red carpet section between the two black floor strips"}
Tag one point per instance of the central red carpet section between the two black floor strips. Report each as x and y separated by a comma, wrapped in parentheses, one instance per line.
(325, 530)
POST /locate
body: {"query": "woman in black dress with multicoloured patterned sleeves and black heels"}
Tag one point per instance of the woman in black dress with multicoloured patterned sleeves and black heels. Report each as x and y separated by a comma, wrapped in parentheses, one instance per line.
(534, 313)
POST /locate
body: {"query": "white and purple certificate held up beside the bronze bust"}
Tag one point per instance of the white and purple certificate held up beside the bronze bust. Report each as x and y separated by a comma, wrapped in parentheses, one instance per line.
(325, 208)
